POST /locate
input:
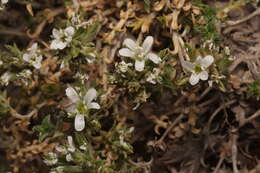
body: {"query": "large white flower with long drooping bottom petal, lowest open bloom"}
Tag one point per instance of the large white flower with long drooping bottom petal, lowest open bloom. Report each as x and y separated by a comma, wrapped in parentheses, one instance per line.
(76, 101)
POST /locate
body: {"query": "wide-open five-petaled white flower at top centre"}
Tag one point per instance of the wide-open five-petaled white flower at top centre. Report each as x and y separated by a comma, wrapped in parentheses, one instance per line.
(139, 53)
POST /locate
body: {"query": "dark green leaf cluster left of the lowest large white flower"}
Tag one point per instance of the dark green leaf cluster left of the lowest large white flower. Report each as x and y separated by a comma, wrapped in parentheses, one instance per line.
(45, 129)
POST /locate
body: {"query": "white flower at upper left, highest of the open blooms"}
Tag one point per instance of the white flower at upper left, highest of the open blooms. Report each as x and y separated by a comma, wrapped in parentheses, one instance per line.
(62, 37)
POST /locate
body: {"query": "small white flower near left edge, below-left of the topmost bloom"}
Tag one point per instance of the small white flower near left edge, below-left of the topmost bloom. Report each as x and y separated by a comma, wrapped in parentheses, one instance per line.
(33, 56)
